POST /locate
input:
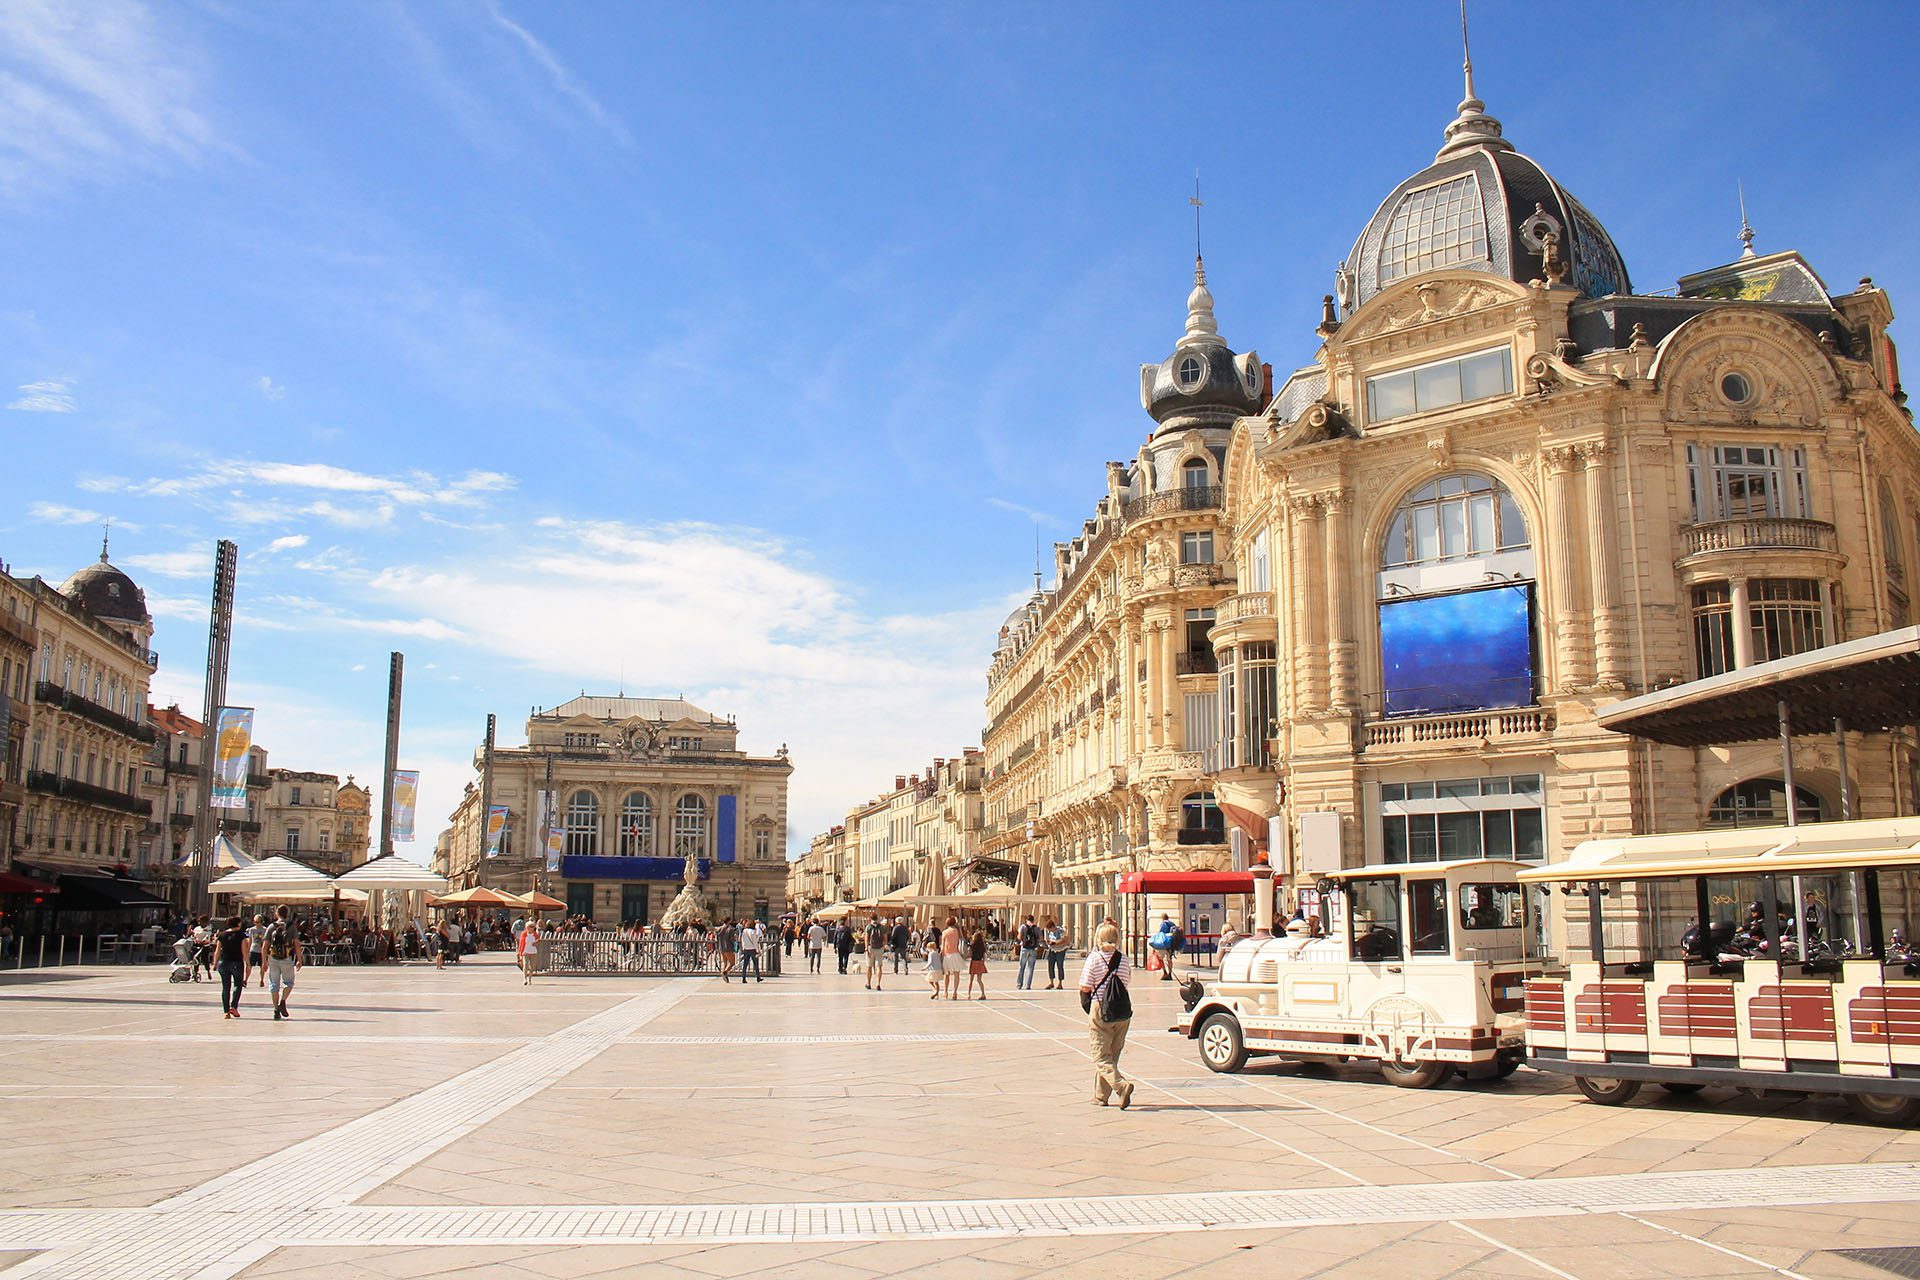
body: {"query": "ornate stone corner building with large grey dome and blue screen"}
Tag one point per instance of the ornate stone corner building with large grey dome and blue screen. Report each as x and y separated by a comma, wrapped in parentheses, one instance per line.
(1510, 490)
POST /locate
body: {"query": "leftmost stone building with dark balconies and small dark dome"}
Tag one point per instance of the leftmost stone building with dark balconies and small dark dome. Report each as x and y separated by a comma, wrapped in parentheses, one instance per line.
(87, 732)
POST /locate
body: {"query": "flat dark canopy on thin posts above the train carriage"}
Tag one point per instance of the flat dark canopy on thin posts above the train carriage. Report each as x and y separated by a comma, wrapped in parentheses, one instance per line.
(1865, 686)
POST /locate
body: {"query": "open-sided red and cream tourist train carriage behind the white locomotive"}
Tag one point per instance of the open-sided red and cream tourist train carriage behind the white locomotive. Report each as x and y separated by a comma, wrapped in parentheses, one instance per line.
(1767, 959)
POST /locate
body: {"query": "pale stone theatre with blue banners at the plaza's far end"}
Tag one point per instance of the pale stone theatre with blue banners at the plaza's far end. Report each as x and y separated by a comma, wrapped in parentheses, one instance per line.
(642, 786)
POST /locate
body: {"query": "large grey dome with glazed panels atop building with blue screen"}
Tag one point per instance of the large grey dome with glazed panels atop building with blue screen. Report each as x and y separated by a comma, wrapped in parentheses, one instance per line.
(1481, 206)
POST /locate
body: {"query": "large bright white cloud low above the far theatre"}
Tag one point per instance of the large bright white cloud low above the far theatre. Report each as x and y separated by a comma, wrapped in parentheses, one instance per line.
(732, 619)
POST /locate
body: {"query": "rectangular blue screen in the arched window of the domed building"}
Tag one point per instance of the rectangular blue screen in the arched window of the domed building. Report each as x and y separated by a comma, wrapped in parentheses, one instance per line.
(1458, 653)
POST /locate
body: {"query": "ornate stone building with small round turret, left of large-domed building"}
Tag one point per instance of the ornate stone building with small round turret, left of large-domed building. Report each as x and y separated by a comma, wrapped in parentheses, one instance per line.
(1103, 719)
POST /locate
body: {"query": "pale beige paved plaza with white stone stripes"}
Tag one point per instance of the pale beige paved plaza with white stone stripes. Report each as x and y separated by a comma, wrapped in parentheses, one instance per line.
(416, 1122)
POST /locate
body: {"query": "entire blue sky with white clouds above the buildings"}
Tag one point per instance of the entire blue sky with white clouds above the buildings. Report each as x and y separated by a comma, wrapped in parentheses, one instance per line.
(738, 350)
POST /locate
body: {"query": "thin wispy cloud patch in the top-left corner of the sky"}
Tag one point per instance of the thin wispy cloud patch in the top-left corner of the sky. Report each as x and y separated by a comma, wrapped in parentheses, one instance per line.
(91, 87)
